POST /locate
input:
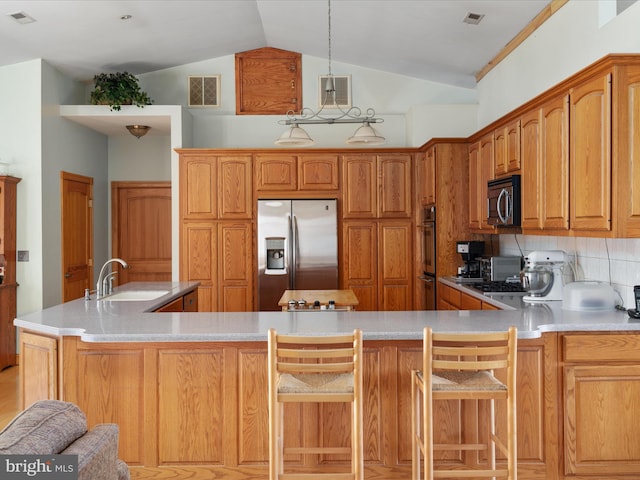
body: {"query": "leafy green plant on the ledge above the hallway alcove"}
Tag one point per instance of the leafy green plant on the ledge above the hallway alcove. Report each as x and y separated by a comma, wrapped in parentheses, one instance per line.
(117, 89)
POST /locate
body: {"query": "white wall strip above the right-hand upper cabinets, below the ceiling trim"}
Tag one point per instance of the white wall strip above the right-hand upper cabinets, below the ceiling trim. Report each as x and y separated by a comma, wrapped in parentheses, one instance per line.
(566, 43)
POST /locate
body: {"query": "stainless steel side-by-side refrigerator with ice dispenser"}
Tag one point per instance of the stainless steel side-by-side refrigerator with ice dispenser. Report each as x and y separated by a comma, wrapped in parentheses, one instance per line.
(297, 248)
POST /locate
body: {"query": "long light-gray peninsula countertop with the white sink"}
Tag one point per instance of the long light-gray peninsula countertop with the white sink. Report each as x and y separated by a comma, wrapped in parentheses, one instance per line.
(134, 321)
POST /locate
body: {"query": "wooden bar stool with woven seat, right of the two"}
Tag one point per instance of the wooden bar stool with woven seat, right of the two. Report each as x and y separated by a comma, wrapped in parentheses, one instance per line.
(461, 367)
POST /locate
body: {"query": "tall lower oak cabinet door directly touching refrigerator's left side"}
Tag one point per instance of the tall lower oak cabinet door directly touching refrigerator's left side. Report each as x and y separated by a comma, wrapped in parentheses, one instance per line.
(235, 270)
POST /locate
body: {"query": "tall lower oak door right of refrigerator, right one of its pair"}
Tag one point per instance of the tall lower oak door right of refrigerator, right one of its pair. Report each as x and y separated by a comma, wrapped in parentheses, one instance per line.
(395, 265)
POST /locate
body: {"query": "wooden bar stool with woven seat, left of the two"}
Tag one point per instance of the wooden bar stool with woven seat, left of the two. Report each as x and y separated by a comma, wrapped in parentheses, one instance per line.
(315, 369)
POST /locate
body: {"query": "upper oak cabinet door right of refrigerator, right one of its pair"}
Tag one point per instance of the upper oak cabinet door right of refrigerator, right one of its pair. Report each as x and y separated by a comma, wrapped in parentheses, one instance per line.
(394, 191)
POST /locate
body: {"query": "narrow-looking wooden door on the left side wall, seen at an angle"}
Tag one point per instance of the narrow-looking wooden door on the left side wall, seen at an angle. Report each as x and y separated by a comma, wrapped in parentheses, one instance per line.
(77, 234)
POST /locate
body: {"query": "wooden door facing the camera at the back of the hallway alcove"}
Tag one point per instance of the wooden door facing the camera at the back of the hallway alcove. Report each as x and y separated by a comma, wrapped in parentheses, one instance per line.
(141, 230)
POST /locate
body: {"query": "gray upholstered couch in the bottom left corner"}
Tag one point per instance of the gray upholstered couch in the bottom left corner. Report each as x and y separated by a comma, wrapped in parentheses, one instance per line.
(55, 427)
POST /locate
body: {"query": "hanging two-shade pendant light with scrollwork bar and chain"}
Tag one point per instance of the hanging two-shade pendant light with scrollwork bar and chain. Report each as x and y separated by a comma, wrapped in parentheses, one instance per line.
(364, 135)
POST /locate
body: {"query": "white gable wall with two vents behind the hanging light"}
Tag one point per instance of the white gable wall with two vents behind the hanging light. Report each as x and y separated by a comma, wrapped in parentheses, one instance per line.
(392, 96)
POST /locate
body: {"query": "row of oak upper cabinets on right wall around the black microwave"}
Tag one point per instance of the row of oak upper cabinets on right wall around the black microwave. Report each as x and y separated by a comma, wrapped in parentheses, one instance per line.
(577, 150)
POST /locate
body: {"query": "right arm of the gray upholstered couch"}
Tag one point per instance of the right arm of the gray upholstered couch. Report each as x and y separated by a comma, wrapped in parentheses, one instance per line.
(97, 452)
